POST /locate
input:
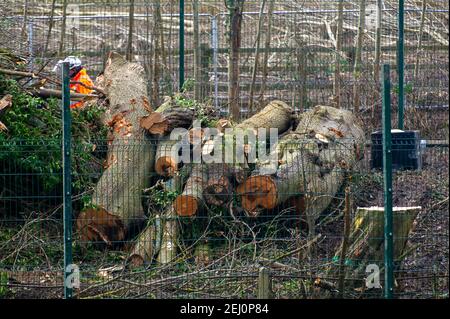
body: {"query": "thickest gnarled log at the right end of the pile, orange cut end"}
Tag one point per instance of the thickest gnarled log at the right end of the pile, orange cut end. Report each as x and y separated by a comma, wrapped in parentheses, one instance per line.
(314, 161)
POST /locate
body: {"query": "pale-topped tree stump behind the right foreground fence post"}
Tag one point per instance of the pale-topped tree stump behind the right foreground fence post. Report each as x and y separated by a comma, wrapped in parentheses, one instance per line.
(366, 244)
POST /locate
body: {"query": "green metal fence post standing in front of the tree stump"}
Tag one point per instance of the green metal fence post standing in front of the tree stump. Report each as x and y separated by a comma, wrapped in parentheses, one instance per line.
(387, 177)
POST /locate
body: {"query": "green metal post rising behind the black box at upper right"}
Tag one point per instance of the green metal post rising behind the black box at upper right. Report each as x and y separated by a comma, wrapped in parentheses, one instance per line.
(401, 64)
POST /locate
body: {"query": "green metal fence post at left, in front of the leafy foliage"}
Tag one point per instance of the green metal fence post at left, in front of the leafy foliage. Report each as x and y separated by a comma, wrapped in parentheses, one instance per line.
(67, 180)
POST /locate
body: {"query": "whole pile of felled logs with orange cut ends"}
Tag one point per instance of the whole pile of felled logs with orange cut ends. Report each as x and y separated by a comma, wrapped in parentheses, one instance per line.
(311, 161)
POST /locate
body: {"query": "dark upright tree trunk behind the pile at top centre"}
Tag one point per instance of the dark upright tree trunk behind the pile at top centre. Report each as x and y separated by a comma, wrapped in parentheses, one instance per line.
(235, 7)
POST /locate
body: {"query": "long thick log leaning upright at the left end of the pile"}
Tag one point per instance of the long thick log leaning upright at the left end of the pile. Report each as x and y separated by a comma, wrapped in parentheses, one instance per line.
(130, 158)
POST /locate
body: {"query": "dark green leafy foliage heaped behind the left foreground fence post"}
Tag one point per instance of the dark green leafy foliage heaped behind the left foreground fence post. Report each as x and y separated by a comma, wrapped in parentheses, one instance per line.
(32, 143)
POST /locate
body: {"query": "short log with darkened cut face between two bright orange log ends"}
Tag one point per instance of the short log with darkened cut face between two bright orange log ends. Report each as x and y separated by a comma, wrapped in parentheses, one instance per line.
(218, 189)
